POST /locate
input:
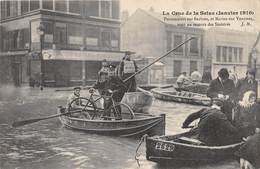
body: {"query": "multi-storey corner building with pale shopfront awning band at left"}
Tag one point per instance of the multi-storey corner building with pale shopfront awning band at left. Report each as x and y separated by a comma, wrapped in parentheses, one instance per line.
(64, 41)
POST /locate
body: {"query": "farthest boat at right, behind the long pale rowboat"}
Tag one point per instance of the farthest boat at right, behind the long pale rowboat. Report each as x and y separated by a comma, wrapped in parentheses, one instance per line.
(194, 87)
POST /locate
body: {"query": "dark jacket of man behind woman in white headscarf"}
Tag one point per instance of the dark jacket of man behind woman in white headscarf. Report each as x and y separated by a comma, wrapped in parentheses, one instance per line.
(243, 86)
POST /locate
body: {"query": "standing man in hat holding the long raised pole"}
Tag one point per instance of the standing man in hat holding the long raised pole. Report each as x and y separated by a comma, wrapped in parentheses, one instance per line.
(127, 68)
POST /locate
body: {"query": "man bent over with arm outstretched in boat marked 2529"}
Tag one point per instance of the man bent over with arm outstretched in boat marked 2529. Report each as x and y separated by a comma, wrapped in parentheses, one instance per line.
(214, 128)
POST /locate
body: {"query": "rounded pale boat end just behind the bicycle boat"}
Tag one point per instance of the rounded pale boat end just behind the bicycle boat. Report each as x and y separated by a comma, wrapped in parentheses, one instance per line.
(139, 101)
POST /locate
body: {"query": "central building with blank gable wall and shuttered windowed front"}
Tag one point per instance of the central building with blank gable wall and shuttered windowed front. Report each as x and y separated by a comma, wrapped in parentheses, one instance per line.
(147, 34)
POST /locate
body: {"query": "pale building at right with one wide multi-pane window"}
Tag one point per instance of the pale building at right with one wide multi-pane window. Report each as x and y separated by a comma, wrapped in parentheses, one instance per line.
(227, 48)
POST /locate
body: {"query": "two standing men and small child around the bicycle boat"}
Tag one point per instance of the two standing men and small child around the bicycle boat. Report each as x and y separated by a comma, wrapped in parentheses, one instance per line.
(113, 82)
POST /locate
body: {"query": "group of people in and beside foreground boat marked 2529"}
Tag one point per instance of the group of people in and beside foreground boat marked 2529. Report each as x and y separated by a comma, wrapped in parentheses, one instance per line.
(233, 116)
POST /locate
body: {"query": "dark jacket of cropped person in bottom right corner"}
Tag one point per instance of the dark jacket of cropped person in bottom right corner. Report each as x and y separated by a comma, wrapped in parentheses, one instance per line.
(250, 151)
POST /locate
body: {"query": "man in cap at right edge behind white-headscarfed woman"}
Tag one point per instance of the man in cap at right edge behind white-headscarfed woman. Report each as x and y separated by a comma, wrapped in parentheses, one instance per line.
(246, 84)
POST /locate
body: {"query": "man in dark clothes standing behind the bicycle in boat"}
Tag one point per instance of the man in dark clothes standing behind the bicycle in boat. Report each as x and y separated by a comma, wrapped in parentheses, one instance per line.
(115, 87)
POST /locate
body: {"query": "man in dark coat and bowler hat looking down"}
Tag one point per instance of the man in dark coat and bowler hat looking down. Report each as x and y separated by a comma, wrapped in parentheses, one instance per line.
(223, 88)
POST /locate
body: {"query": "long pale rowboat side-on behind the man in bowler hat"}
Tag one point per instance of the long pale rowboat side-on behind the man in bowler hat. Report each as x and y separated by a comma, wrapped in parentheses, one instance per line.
(170, 94)
